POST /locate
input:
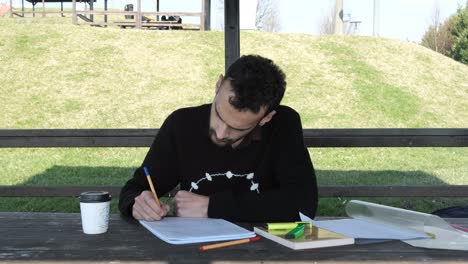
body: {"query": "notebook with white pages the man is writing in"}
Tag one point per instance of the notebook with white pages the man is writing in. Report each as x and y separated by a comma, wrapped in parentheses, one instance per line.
(182, 230)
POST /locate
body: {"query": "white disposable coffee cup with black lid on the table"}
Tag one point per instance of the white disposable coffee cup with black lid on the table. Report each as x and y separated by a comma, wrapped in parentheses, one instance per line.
(94, 207)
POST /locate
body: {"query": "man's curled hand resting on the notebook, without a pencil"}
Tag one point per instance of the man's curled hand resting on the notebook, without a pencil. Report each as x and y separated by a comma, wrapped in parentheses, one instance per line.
(188, 204)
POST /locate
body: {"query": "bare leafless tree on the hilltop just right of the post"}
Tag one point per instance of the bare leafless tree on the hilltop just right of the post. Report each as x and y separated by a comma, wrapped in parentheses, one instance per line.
(267, 17)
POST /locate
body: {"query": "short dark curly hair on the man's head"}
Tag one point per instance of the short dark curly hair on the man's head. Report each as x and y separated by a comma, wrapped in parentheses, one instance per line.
(256, 82)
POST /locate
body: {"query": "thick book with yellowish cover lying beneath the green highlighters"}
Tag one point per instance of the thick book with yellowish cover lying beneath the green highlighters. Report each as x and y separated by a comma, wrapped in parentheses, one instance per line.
(313, 237)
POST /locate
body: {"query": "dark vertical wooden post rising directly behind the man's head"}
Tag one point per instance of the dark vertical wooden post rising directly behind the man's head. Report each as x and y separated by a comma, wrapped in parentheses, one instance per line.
(231, 32)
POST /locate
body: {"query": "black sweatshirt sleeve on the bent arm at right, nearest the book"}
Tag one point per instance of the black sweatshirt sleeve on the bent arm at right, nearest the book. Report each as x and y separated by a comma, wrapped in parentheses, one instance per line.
(292, 170)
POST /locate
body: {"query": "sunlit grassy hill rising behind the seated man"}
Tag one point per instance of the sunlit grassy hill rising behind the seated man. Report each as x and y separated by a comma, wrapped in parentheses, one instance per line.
(56, 75)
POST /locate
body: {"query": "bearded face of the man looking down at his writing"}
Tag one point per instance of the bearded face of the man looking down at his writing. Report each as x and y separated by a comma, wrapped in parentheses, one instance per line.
(228, 125)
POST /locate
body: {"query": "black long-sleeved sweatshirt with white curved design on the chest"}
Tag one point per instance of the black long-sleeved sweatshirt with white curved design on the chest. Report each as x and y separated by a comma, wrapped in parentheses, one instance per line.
(269, 177)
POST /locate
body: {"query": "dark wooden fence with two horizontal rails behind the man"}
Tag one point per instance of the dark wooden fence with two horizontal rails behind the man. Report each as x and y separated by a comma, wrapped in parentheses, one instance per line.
(313, 138)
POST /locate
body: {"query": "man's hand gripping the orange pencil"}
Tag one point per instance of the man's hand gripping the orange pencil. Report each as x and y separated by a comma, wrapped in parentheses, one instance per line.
(145, 208)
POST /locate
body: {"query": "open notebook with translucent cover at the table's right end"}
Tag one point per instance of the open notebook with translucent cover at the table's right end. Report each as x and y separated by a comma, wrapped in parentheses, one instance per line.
(369, 221)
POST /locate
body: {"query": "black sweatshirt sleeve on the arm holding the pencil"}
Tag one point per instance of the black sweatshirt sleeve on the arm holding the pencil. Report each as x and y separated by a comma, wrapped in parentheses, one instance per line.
(161, 163)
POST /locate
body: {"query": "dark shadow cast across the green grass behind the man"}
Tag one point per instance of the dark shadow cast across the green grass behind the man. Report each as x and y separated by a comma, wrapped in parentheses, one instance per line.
(117, 176)
